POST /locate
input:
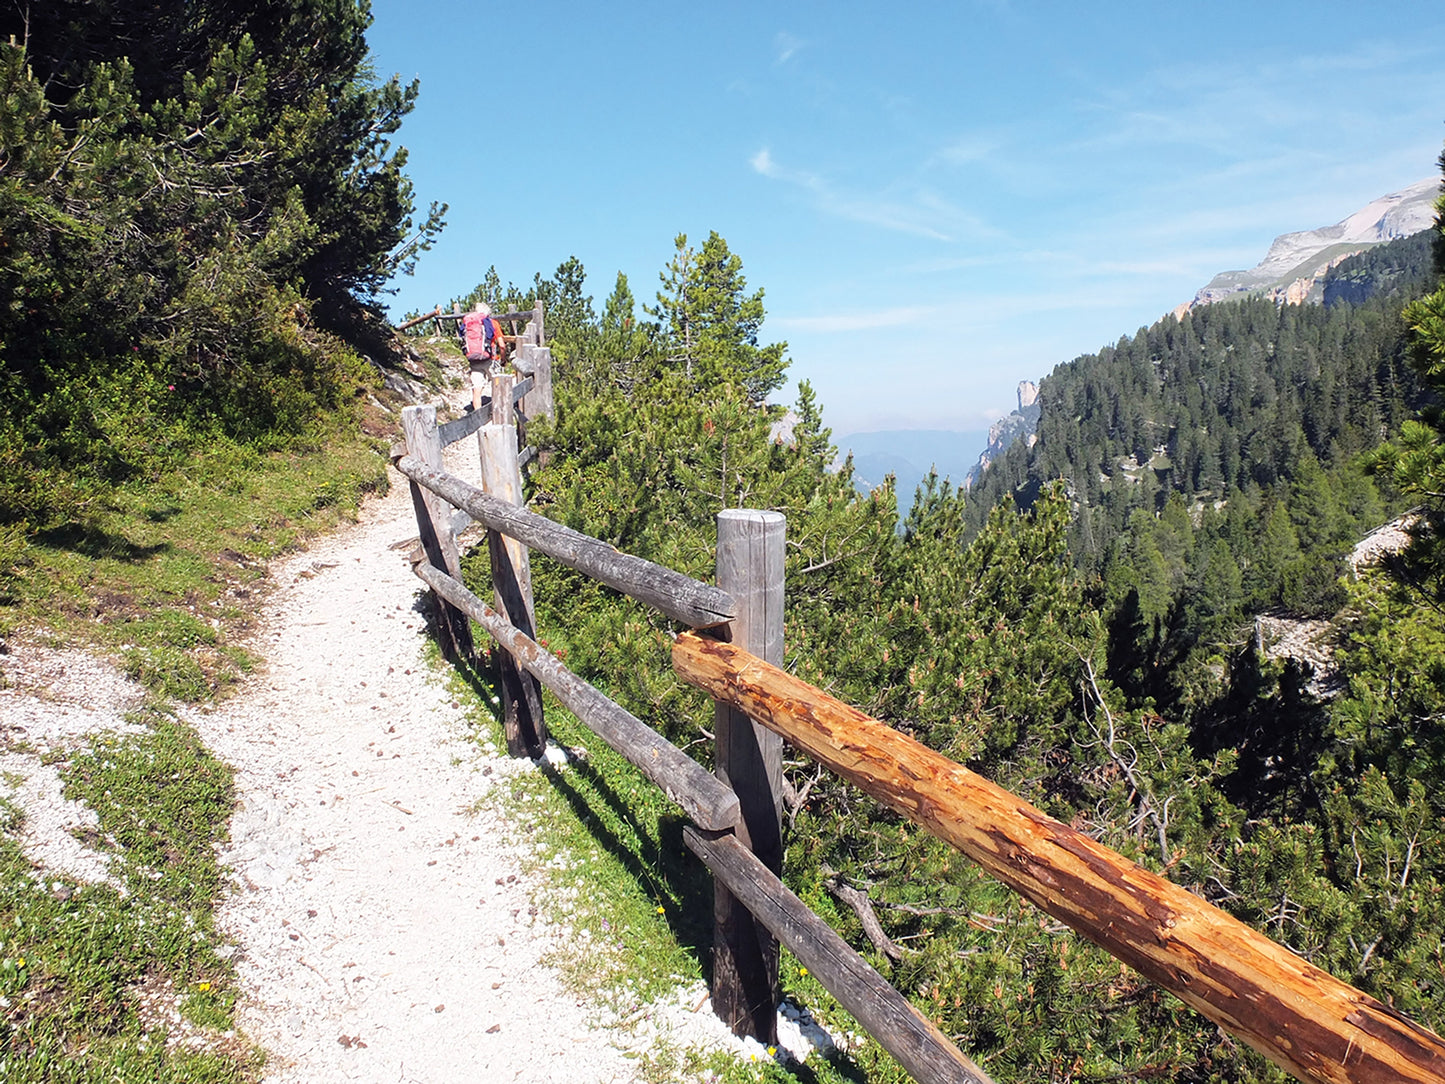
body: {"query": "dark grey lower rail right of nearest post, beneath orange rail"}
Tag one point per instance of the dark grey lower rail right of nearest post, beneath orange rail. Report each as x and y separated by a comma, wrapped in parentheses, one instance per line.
(884, 1012)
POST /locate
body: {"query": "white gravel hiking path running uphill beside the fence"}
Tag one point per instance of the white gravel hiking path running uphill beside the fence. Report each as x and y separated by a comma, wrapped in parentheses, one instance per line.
(384, 930)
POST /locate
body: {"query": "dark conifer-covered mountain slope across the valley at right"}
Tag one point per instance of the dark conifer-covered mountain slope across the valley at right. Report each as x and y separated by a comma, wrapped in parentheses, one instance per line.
(1242, 420)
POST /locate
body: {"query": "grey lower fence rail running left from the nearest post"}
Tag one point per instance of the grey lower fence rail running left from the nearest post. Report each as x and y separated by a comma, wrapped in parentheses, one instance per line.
(700, 794)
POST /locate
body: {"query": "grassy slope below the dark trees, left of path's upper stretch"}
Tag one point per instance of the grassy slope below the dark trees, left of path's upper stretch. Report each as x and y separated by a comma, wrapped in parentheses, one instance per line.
(165, 572)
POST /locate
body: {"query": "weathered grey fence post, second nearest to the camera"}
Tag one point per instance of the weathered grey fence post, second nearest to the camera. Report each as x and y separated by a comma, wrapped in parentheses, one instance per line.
(511, 576)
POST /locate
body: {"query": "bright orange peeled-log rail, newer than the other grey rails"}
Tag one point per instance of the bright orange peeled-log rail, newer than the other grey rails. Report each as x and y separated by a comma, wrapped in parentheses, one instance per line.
(1293, 1012)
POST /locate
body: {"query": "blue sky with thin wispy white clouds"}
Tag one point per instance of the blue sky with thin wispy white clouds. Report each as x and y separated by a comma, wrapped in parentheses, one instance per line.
(939, 199)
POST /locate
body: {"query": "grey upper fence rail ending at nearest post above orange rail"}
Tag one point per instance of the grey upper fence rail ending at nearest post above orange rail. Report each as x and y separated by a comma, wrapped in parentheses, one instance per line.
(678, 596)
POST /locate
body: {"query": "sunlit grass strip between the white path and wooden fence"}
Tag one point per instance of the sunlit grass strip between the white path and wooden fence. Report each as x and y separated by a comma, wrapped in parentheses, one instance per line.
(609, 848)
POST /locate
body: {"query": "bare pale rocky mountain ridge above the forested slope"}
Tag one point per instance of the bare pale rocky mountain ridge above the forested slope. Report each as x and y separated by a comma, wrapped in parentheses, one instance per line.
(1294, 268)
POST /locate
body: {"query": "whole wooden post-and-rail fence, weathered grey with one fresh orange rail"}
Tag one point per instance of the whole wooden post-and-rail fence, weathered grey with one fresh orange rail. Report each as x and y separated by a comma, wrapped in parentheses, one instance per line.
(1297, 1015)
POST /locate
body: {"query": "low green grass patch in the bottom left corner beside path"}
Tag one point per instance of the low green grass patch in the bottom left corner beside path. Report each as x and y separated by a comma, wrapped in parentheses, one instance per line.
(89, 973)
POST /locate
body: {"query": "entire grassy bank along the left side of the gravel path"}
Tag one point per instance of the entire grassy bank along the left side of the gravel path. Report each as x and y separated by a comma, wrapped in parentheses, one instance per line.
(129, 982)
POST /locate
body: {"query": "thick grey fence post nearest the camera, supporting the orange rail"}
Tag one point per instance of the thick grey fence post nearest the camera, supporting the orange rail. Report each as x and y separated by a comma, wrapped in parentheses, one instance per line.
(751, 761)
